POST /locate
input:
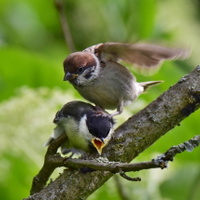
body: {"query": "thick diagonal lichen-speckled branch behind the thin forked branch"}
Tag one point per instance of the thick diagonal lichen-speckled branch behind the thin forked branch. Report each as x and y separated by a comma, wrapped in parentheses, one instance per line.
(131, 138)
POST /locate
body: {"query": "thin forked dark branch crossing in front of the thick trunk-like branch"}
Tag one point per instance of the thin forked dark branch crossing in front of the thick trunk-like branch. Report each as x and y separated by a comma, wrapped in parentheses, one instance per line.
(53, 160)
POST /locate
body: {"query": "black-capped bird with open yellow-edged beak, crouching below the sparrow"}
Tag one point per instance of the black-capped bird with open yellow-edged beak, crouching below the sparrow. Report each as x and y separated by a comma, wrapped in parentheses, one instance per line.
(86, 128)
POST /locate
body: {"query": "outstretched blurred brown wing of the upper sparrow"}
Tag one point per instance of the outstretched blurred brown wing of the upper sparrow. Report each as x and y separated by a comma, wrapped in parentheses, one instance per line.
(140, 54)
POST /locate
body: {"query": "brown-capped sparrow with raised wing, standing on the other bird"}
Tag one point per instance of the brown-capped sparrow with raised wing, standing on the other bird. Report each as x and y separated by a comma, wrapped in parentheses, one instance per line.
(99, 76)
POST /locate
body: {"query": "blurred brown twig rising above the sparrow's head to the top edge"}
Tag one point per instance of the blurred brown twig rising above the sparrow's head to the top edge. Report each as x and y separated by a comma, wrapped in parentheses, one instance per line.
(64, 24)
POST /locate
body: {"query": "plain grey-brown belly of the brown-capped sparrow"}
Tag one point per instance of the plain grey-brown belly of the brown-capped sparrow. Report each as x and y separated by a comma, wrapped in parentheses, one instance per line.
(111, 88)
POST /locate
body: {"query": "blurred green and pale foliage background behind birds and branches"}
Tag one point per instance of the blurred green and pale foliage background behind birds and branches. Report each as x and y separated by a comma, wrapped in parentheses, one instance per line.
(32, 49)
